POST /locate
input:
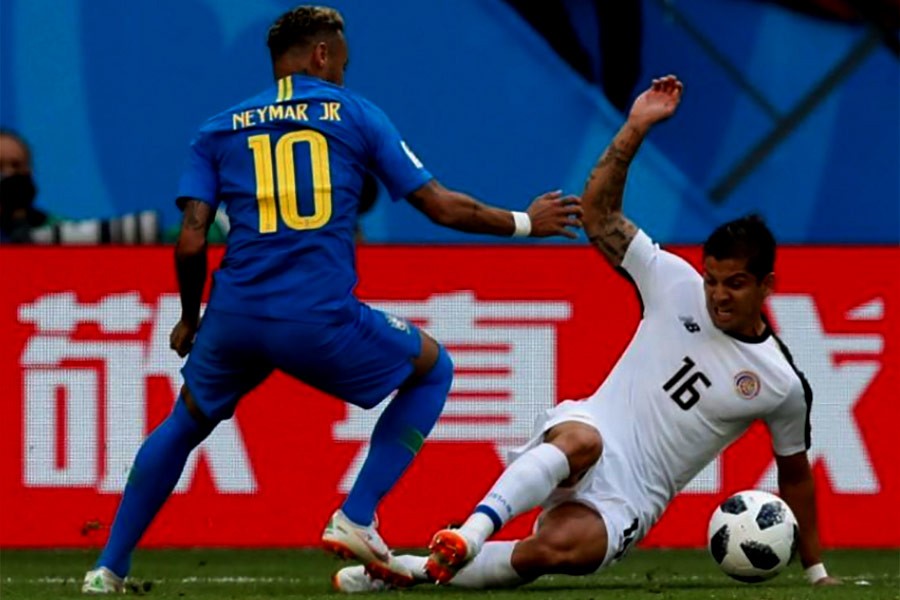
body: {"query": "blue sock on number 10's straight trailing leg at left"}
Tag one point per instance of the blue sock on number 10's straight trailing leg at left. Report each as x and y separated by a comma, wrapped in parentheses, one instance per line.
(153, 476)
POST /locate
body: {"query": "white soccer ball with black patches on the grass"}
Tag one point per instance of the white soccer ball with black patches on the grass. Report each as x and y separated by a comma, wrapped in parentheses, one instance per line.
(753, 535)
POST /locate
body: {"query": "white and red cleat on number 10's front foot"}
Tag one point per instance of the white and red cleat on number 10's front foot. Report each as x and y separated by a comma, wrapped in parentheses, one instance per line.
(348, 540)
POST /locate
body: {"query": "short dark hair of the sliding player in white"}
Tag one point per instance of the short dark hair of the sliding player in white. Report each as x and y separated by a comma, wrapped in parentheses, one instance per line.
(748, 238)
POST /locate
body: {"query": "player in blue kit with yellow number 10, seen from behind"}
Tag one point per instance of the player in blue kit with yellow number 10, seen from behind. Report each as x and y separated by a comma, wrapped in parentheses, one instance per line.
(288, 164)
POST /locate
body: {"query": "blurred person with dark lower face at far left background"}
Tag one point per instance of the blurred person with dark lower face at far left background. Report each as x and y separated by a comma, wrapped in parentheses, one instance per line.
(18, 216)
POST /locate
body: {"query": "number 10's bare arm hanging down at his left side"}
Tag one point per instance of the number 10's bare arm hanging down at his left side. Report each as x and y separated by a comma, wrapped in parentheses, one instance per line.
(190, 265)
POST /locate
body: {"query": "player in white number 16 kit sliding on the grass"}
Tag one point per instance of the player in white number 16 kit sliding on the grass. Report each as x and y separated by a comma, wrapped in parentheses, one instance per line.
(703, 365)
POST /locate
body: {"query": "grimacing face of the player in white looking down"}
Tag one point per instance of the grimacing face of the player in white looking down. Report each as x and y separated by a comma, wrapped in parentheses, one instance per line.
(734, 297)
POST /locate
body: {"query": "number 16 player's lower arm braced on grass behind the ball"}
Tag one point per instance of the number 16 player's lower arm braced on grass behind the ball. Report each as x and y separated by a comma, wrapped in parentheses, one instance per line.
(795, 482)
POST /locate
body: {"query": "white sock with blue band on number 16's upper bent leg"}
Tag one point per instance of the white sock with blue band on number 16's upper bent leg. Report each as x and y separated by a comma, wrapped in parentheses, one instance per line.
(524, 484)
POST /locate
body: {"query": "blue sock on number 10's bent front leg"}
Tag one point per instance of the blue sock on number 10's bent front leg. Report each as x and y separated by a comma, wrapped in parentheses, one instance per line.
(397, 437)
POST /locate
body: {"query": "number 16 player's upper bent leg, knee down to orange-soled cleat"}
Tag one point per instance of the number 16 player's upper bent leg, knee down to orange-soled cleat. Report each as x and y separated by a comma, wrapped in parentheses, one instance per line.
(569, 450)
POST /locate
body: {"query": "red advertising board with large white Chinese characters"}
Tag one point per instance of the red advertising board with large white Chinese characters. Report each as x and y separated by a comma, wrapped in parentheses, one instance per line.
(86, 373)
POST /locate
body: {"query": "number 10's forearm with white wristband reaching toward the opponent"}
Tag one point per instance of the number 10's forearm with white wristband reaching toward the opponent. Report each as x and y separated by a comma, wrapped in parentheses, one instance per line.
(549, 214)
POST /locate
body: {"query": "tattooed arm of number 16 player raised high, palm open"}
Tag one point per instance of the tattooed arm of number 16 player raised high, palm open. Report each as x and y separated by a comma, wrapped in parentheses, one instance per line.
(605, 225)
